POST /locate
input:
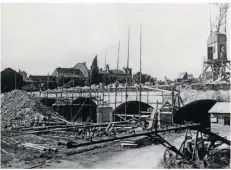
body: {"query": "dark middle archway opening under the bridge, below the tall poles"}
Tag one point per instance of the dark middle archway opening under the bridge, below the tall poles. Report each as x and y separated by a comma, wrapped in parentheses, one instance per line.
(132, 108)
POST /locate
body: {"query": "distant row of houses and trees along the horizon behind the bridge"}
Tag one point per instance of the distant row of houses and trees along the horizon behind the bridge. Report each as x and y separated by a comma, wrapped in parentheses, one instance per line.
(81, 75)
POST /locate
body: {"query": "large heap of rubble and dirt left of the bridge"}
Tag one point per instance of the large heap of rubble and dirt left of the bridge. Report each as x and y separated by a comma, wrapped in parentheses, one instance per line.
(18, 109)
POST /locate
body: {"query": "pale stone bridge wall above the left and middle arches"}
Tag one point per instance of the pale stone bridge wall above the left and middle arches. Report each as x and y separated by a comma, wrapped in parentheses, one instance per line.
(109, 96)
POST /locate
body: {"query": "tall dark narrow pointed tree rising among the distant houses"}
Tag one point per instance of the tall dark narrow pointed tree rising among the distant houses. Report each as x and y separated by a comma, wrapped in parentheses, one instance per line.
(94, 74)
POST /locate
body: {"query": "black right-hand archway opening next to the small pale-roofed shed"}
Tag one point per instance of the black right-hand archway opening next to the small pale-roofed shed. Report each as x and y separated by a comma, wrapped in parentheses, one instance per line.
(196, 112)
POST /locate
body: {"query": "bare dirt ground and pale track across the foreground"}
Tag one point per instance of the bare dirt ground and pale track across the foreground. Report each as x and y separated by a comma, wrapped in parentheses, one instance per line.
(106, 155)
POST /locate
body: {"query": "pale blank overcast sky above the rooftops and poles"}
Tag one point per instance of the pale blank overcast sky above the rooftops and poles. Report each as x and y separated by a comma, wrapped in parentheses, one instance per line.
(37, 38)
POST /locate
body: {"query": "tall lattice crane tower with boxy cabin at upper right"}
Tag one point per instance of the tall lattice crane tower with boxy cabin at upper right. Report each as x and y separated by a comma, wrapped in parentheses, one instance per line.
(217, 47)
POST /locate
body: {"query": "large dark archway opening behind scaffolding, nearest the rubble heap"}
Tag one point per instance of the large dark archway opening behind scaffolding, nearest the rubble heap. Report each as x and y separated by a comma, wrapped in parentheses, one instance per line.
(80, 110)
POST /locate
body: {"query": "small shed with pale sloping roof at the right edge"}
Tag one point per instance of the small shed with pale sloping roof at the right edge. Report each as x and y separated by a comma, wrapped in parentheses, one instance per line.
(221, 111)
